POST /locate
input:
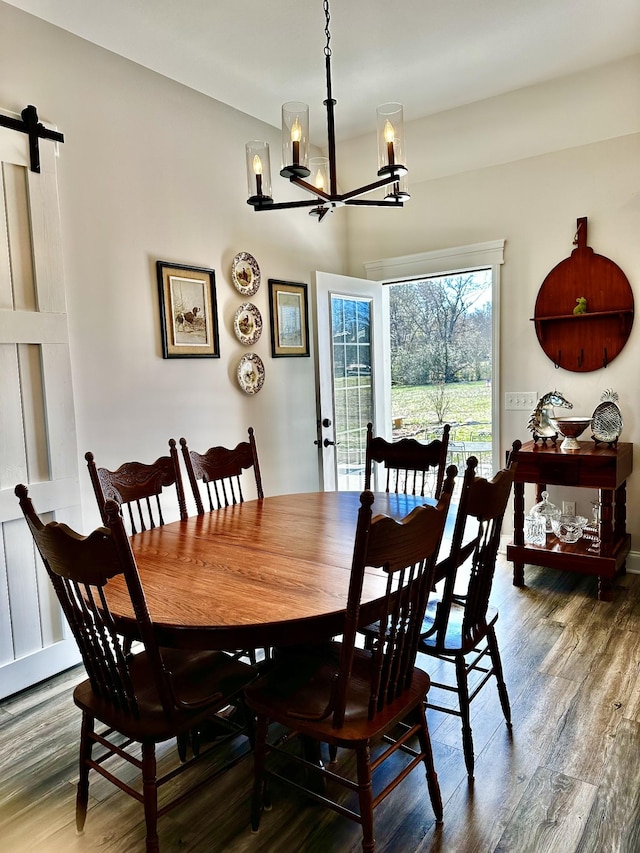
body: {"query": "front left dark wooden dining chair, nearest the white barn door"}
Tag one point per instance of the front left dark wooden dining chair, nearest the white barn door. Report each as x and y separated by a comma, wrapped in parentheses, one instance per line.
(143, 699)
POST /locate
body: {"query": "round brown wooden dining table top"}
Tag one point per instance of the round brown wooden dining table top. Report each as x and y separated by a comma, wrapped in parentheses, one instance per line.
(266, 572)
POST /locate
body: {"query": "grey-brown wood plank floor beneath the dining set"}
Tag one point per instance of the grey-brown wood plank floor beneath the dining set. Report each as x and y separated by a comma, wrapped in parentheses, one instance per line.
(566, 780)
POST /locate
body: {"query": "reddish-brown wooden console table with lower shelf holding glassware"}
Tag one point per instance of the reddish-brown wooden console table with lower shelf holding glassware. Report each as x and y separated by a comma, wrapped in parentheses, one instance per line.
(594, 467)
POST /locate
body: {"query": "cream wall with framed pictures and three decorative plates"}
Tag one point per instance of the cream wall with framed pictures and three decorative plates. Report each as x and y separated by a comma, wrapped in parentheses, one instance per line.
(153, 170)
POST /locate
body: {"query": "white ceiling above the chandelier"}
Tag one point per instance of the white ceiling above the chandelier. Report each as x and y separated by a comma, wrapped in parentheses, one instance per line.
(431, 55)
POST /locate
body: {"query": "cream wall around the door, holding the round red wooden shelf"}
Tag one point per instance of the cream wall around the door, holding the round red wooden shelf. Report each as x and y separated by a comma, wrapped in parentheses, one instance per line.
(529, 187)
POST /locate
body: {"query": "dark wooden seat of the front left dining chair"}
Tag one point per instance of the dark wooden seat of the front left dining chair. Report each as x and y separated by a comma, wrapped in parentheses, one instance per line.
(197, 677)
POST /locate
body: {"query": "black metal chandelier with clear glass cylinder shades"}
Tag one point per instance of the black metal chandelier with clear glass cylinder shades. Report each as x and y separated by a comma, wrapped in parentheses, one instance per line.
(318, 175)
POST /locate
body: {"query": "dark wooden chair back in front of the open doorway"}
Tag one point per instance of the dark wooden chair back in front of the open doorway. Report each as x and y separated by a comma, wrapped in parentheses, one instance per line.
(411, 466)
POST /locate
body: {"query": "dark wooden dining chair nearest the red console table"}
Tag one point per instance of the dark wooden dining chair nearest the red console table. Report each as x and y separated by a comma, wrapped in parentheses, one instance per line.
(459, 627)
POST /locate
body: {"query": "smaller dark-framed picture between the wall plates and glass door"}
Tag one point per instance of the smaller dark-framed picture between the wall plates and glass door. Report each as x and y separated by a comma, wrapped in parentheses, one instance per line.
(289, 318)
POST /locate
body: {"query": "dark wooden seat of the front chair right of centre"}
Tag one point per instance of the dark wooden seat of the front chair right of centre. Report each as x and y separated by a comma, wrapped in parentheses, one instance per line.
(309, 679)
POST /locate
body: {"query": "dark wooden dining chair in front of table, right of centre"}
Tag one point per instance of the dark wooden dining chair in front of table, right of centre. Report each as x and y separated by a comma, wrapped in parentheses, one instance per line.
(345, 696)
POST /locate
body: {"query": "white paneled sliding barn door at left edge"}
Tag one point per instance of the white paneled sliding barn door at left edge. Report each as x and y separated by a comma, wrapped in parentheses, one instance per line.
(37, 422)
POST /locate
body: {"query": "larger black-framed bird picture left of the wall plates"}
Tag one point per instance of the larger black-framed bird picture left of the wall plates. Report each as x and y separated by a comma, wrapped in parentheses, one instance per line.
(188, 312)
